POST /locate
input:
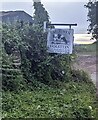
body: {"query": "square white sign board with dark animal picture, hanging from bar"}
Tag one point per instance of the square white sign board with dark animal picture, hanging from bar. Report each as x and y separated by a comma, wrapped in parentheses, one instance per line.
(60, 41)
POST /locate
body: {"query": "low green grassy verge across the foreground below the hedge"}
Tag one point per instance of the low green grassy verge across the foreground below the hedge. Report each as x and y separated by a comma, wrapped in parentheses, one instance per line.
(72, 100)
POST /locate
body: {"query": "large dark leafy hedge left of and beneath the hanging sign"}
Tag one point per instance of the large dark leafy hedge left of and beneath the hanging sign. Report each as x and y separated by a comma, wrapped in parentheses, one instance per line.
(36, 63)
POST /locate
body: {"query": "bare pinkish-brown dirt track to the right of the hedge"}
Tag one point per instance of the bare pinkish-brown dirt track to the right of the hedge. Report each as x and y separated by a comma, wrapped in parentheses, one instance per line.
(88, 64)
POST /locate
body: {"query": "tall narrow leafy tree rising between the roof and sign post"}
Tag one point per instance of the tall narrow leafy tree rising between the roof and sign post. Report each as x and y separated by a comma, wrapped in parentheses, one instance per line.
(40, 14)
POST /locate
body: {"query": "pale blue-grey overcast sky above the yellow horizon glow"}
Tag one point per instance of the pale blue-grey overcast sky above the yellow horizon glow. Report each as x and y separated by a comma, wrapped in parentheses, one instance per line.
(64, 11)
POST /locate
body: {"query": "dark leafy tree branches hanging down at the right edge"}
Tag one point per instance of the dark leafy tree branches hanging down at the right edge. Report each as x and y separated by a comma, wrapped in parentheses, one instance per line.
(93, 18)
